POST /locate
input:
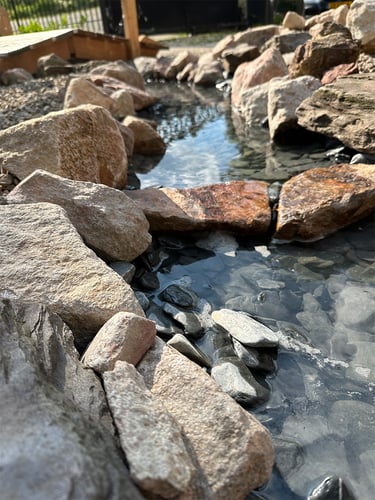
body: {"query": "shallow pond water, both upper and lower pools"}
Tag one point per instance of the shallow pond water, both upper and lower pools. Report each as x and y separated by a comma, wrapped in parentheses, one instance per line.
(321, 296)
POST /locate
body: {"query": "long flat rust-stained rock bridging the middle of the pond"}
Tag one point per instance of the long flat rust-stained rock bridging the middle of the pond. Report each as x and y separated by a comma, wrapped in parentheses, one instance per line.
(237, 206)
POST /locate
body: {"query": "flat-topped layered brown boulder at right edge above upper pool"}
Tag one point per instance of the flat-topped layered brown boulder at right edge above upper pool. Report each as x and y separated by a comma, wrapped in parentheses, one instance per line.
(343, 109)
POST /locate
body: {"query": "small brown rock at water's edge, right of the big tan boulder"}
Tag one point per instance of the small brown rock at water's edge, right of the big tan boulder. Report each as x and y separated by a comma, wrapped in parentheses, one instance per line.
(146, 140)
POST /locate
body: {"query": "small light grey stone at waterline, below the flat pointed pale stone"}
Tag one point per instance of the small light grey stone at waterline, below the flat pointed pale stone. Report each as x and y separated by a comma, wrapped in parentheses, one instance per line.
(232, 375)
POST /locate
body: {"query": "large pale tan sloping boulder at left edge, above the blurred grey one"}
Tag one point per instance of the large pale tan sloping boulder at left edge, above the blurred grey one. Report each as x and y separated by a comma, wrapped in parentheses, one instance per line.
(47, 261)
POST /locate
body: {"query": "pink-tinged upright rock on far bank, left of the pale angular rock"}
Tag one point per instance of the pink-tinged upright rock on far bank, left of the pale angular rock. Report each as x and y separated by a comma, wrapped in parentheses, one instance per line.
(261, 70)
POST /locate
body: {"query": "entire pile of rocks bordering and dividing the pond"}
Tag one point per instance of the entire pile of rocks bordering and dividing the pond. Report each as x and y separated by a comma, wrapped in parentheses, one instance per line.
(71, 232)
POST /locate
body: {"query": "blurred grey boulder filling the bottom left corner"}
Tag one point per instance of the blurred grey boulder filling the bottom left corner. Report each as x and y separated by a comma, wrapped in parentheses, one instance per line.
(49, 447)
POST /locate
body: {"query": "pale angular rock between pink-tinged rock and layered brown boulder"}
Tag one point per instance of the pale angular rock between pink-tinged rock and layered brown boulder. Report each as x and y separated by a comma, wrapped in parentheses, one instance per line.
(284, 97)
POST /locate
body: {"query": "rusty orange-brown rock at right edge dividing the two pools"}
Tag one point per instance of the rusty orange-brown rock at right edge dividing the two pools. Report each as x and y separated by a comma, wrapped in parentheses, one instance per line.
(320, 201)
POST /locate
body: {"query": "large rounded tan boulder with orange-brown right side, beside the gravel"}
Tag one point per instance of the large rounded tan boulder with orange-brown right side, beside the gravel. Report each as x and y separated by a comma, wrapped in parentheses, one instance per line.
(73, 143)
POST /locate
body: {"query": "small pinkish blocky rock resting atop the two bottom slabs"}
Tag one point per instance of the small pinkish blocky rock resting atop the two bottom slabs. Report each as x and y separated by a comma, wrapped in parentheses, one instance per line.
(124, 337)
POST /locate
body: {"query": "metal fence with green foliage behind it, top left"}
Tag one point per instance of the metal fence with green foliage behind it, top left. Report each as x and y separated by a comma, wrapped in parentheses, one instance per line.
(38, 15)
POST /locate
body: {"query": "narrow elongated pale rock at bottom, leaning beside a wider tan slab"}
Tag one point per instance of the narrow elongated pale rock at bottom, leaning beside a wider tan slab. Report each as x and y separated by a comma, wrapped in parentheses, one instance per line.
(151, 439)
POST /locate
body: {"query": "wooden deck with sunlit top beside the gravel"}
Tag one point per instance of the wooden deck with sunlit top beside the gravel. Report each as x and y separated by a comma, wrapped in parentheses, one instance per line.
(23, 51)
